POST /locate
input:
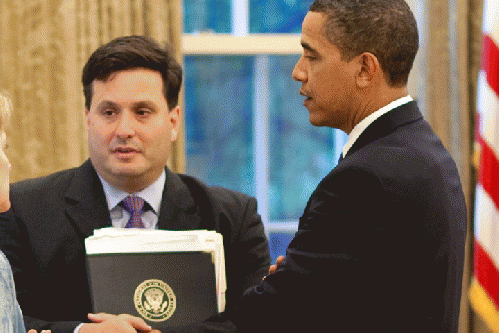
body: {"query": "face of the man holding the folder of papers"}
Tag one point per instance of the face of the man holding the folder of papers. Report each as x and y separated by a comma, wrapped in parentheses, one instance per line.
(130, 128)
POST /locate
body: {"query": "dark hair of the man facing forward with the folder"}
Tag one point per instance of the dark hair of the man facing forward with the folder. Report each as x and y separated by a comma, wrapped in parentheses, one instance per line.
(133, 52)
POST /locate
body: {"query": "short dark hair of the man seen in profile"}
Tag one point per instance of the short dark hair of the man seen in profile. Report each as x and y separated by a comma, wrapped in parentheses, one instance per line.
(385, 28)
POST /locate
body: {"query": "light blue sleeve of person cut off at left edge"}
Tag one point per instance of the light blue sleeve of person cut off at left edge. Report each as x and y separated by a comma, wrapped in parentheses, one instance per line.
(11, 318)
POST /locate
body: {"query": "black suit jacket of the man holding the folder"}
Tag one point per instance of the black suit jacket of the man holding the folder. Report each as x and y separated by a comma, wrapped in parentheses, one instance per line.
(43, 237)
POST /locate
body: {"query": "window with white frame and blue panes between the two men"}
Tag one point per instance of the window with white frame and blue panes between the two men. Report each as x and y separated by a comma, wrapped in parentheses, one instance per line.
(246, 127)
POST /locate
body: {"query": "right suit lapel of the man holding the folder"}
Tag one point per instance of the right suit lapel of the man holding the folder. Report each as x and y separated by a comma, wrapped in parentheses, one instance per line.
(178, 208)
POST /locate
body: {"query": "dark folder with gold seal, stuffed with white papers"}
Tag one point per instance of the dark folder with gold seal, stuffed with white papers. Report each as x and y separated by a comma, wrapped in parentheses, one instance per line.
(169, 278)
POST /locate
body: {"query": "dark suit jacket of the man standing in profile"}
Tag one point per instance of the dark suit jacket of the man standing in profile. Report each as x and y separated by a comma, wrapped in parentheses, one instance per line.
(380, 245)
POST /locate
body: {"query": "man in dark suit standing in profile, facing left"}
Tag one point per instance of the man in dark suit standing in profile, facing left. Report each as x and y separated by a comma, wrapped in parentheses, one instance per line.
(380, 245)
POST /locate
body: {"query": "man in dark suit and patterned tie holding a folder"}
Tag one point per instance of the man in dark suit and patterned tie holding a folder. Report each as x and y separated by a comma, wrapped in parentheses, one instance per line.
(131, 88)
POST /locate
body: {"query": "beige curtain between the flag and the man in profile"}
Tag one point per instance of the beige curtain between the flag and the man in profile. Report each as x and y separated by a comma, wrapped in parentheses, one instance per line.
(449, 64)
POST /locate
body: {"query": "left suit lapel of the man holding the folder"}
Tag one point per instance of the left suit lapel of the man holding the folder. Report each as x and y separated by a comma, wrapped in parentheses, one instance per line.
(85, 202)
